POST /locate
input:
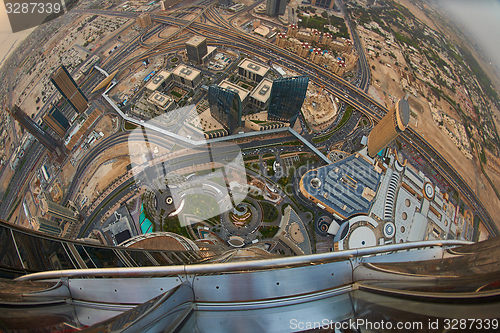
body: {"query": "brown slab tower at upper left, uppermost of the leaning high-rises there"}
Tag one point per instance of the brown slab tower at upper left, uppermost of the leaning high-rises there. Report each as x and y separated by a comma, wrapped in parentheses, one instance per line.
(65, 84)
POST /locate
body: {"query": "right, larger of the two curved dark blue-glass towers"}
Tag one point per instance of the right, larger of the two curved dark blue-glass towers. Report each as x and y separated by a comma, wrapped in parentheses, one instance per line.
(287, 97)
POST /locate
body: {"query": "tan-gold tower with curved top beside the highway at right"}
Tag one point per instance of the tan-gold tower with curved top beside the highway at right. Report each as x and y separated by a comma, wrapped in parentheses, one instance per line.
(389, 127)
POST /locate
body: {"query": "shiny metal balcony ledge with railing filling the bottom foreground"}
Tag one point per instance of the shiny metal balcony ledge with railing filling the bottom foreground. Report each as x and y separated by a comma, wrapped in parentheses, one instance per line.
(429, 280)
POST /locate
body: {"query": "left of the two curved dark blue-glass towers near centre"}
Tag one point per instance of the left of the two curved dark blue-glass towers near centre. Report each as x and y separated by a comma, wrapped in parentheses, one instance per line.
(225, 106)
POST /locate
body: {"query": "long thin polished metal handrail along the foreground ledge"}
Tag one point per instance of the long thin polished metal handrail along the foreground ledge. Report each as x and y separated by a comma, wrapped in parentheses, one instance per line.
(248, 266)
